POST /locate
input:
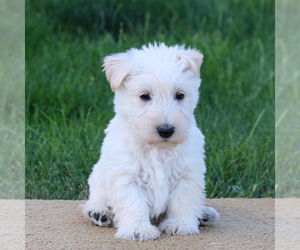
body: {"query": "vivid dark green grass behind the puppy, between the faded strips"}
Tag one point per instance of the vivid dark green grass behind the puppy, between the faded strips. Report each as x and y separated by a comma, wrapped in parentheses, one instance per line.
(69, 102)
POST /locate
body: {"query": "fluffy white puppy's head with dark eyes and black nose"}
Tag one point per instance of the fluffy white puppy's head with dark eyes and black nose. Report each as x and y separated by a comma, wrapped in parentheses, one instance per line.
(156, 91)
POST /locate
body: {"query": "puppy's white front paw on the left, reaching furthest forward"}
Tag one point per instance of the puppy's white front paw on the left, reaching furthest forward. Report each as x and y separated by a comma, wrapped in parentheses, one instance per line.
(142, 232)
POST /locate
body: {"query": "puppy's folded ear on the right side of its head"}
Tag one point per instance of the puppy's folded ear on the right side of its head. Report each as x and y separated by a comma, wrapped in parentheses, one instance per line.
(193, 58)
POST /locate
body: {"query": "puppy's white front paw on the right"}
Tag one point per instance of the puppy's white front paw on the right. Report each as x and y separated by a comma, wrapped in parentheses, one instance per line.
(174, 227)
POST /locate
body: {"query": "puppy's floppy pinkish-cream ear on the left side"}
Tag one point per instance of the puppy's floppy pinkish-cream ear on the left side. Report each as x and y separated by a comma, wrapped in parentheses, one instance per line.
(116, 67)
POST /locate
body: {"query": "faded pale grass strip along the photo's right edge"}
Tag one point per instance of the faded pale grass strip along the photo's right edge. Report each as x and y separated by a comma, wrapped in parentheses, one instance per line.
(287, 100)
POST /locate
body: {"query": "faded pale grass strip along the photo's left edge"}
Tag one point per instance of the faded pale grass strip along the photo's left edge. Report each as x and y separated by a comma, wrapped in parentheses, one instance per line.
(12, 73)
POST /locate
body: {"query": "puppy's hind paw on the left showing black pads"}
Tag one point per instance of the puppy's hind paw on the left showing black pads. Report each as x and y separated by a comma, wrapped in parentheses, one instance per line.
(98, 214)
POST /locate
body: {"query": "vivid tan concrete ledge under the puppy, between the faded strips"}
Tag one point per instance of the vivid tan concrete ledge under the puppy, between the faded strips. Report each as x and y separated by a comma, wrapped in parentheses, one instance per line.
(243, 224)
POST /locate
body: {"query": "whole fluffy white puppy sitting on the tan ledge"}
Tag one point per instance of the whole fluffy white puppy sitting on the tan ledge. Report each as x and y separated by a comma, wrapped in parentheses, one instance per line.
(151, 169)
